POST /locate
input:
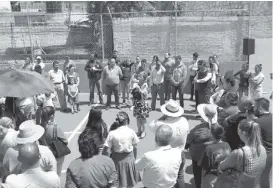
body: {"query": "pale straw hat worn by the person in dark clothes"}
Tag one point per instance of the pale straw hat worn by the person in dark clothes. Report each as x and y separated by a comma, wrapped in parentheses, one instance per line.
(207, 111)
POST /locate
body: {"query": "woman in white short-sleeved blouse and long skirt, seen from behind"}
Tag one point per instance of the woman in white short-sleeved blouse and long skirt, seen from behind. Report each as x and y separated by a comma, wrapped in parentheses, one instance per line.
(122, 142)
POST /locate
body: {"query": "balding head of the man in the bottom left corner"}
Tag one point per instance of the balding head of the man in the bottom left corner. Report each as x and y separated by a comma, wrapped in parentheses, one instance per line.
(29, 154)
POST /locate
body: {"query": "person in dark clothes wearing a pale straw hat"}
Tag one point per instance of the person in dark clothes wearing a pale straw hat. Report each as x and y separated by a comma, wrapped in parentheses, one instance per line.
(200, 137)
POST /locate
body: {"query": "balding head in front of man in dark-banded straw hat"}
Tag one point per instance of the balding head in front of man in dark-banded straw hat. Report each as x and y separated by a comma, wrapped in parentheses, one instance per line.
(163, 135)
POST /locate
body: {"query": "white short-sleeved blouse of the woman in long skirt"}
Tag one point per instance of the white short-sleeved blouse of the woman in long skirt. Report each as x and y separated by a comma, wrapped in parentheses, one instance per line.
(122, 139)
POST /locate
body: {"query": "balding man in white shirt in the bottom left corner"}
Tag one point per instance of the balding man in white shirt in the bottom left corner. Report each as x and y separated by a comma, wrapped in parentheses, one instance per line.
(33, 175)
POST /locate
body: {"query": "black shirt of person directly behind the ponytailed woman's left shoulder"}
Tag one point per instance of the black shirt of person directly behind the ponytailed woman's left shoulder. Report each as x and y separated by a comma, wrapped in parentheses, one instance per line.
(231, 131)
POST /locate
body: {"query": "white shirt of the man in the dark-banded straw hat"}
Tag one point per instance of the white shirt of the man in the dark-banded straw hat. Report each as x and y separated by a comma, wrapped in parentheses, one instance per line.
(180, 127)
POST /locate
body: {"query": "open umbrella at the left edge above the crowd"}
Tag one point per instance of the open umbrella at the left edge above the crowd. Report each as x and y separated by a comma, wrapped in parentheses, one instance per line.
(23, 83)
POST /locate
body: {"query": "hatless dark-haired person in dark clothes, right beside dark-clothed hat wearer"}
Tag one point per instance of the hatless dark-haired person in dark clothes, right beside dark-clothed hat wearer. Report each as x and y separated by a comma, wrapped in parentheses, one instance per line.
(214, 154)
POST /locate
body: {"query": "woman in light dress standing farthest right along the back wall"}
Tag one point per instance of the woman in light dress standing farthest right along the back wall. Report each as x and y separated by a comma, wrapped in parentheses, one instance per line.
(256, 81)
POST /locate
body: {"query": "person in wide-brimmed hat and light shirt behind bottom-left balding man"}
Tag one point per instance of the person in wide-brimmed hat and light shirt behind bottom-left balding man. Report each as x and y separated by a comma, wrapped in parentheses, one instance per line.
(29, 132)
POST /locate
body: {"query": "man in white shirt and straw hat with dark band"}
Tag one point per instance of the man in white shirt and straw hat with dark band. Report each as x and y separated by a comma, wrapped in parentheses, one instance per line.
(172, 113)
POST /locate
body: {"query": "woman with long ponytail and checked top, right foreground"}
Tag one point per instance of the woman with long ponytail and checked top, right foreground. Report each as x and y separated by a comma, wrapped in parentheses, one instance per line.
(249, 159)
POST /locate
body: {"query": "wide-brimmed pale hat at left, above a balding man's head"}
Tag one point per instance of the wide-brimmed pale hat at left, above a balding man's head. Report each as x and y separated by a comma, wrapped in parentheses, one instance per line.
(29, 132)
